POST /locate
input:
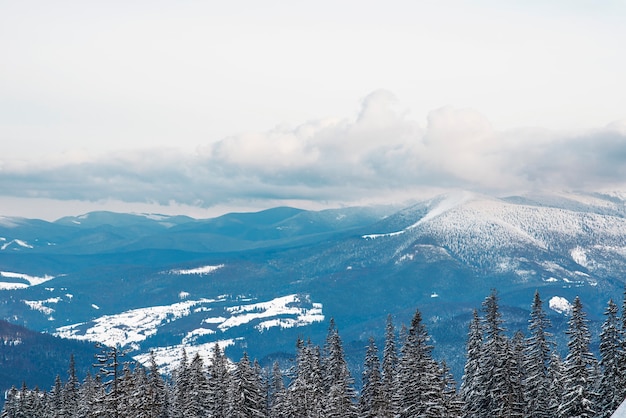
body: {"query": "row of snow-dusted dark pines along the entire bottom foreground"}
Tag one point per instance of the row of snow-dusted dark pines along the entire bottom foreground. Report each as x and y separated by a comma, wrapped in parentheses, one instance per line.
(518, 376)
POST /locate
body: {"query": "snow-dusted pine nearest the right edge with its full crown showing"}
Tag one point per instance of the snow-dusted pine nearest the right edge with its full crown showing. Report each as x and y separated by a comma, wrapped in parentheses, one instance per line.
(611, 388)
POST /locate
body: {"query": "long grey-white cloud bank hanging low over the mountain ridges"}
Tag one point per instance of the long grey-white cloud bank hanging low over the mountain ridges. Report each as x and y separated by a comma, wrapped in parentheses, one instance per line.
(380, 152)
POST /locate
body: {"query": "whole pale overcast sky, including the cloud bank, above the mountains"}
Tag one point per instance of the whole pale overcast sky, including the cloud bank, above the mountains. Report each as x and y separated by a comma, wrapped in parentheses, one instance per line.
(204, 107)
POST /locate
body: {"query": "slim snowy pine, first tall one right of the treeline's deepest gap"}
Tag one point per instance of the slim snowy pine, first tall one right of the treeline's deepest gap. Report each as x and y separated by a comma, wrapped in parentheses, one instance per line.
(472, 393)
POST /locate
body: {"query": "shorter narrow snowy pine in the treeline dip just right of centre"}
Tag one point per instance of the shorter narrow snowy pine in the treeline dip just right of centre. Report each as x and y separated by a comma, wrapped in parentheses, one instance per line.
(371, 402)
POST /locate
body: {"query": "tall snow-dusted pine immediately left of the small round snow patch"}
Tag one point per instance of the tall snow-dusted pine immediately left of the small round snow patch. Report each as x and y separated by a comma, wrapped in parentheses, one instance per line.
(537, 362)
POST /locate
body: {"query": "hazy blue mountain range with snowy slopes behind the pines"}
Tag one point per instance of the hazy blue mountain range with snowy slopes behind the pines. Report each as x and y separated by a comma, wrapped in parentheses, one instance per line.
(257, 281)
